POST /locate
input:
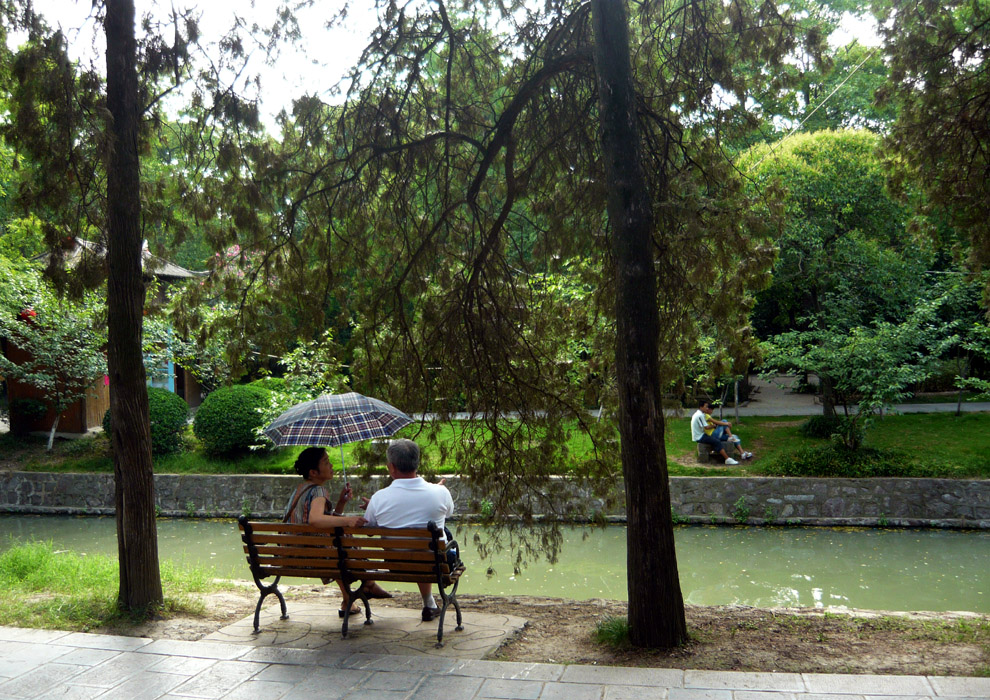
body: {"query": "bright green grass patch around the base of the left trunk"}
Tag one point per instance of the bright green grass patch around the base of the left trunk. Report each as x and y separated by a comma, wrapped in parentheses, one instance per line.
(50, 589)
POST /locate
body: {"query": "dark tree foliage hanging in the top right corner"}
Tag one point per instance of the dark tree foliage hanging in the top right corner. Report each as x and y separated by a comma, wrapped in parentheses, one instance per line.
(940, 84)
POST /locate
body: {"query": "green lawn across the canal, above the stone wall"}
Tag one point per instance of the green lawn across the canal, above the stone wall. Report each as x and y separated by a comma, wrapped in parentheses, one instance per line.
(952, 446)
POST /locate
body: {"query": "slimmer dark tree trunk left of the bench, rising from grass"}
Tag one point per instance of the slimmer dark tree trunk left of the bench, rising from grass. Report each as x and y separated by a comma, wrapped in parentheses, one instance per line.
(137, 537)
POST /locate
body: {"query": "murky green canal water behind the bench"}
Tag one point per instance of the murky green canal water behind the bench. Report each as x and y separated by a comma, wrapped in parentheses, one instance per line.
(934, 570)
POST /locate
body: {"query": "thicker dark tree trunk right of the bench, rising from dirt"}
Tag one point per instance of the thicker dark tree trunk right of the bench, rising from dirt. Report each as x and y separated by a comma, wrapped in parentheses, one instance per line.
(656, 608)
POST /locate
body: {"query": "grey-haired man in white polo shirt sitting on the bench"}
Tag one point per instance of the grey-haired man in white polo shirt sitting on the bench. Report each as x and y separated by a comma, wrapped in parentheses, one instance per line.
(410, 501)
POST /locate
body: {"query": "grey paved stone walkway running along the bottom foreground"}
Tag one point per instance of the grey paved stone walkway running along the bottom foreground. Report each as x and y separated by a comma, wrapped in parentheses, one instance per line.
(52, 664)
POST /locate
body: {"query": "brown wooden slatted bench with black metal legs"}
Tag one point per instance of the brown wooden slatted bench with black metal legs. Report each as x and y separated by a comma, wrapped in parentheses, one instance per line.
(351, 555)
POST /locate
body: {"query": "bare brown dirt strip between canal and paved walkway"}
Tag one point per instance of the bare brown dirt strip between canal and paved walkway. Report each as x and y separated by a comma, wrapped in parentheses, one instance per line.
(721, 638)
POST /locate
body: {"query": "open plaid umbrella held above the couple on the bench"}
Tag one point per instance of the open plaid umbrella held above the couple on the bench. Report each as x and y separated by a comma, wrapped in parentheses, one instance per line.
(335, 419)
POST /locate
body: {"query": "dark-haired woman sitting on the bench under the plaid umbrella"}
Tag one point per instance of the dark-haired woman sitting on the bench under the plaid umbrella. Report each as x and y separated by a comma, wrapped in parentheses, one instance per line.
(310, 504)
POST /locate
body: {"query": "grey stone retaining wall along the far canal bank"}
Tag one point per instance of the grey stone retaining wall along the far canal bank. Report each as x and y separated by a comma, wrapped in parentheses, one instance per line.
(758, 500)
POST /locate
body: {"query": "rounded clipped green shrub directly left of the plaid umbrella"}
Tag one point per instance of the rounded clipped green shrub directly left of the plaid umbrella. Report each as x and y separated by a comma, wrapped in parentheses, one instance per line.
(227, 419)
